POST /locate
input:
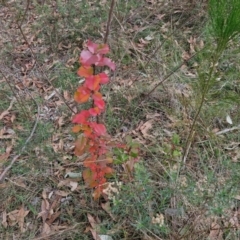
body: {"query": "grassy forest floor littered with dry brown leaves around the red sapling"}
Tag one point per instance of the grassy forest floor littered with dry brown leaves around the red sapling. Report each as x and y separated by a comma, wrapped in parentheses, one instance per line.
(152, 97)
